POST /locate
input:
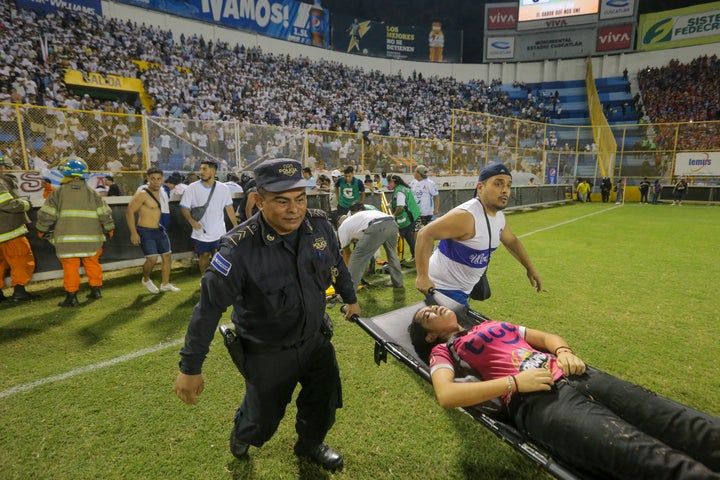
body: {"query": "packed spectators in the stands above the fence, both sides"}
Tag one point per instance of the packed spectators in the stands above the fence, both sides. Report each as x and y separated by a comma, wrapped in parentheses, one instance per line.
(190, 78)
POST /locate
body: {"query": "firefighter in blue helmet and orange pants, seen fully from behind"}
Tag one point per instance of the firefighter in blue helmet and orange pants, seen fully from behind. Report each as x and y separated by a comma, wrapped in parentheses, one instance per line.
(76, 220)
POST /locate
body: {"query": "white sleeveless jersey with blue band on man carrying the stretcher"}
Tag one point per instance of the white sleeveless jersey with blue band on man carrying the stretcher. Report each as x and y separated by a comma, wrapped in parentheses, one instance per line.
(459, 265)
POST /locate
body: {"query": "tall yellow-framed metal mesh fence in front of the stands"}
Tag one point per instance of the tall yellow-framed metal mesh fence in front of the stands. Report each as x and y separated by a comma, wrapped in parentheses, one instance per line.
(125, 145)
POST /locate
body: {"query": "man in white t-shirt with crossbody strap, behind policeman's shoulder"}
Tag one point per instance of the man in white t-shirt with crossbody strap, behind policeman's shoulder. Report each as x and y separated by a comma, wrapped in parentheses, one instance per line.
(208, 229)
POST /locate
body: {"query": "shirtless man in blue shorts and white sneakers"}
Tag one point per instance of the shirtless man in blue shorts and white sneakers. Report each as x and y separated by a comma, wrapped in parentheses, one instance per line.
(149, 233)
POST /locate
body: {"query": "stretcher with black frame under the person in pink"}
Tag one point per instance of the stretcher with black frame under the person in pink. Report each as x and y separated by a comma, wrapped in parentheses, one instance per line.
(390, 332)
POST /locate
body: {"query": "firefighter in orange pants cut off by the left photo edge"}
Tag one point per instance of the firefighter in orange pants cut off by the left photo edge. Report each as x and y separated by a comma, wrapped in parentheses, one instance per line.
(15, 251)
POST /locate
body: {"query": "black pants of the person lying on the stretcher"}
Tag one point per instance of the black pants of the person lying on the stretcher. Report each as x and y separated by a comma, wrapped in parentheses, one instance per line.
(616, 429)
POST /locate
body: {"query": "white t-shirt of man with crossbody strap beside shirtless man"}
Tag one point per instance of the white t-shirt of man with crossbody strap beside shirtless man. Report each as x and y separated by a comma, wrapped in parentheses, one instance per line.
(213, 222)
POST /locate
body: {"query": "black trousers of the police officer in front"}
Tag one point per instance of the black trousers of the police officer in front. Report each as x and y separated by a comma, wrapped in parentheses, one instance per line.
(271, 378)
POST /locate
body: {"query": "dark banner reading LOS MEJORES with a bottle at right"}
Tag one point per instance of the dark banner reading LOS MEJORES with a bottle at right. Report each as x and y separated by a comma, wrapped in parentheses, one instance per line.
(387, 40)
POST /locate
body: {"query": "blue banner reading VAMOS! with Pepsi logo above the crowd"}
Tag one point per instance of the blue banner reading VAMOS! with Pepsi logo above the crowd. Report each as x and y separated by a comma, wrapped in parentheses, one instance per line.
(285, 19)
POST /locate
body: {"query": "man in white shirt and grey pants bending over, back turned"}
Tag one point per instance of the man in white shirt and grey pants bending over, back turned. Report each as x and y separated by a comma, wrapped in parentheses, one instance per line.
(371, 229)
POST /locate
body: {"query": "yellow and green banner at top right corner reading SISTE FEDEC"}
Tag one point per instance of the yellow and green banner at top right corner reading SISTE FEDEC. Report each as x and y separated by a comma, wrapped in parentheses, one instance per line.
(680, 27)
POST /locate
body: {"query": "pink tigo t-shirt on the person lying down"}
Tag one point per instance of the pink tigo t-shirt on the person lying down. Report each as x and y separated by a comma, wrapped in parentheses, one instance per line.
(494, 350)
